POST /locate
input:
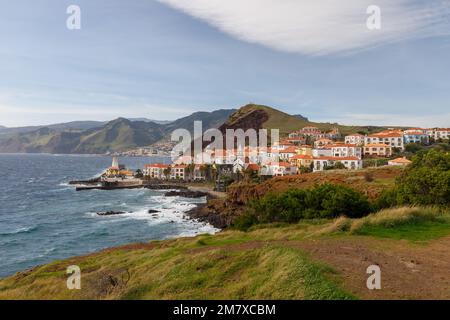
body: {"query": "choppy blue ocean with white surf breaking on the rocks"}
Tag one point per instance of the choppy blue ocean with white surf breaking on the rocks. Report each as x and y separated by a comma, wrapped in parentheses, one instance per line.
(42, 218)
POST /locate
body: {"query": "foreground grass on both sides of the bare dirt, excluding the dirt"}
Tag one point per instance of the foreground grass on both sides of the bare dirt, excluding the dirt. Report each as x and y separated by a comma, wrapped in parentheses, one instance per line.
(260, 264)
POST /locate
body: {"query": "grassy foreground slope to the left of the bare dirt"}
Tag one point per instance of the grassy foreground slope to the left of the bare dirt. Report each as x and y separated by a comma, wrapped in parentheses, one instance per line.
(199, 268)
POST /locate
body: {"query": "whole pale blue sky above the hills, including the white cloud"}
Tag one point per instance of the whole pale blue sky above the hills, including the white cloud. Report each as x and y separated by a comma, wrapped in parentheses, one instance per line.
(165, 59)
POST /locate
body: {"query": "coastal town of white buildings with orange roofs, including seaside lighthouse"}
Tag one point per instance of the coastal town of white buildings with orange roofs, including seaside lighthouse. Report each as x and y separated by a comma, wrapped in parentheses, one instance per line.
(303, 151)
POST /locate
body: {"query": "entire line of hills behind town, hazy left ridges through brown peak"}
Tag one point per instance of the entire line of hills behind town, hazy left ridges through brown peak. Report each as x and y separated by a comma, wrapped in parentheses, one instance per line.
(124, 134)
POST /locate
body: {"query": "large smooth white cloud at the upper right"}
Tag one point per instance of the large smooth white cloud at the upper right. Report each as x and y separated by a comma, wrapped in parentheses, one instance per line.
(317, 27)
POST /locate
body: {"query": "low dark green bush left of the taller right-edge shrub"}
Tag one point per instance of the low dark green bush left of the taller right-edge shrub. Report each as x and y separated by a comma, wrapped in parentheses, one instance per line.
(322, 201)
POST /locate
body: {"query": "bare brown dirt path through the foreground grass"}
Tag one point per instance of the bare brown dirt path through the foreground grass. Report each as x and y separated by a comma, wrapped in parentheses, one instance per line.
(408, 271)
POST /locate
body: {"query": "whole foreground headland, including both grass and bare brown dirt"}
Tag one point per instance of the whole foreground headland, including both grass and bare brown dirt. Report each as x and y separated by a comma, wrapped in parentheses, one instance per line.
(309, 260)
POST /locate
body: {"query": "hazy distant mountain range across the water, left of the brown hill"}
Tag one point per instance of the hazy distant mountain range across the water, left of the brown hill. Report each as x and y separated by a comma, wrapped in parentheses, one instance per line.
(90, 137)
